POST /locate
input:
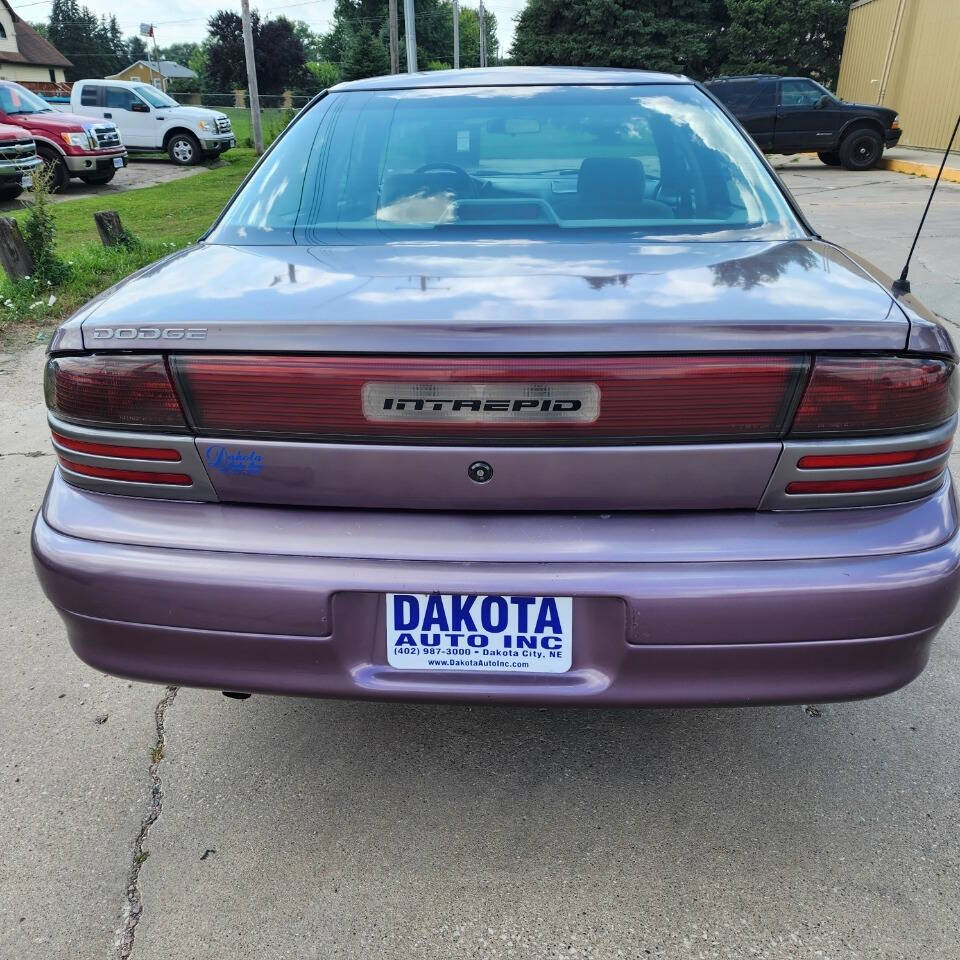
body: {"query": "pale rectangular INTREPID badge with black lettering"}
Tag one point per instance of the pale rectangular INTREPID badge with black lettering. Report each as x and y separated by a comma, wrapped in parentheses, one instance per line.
(482, 402)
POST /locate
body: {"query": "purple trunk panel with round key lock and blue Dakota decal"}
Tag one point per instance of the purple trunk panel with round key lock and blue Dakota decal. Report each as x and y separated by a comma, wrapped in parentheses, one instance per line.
(668, 477)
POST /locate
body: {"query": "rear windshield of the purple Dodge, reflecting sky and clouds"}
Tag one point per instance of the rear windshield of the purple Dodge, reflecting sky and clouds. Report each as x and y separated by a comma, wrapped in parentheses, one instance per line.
(628, 161)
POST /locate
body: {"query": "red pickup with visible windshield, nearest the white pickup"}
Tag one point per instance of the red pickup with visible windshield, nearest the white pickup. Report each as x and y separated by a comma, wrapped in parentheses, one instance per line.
(69, 145)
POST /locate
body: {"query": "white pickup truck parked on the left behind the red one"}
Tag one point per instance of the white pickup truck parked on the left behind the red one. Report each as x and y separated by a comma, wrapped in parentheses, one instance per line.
(149, 120)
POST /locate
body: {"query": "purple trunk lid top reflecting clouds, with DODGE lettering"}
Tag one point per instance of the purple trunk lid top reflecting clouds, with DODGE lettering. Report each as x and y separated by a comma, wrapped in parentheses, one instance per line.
(509, 296)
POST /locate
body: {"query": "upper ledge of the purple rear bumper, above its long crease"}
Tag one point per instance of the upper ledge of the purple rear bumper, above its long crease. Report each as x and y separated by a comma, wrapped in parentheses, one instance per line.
(560, 538)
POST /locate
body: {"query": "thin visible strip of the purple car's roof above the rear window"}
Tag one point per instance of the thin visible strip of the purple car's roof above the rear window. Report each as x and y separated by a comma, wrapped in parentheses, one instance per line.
(510, 77)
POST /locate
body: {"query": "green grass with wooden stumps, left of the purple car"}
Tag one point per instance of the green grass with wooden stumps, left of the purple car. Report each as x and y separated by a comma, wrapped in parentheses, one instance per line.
(161, 218)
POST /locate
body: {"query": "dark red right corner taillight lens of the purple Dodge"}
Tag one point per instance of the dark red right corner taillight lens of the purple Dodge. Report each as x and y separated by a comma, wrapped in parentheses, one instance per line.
(863, 395)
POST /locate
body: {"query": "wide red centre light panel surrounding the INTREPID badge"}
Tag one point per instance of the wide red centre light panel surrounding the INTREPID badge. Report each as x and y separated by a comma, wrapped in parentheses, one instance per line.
(636, 398)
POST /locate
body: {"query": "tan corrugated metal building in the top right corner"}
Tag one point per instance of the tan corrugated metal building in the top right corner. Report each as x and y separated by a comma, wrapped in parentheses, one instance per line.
(905, 54)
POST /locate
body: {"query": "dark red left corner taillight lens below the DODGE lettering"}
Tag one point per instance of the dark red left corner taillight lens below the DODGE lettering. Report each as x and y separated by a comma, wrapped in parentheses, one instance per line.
(124, 390)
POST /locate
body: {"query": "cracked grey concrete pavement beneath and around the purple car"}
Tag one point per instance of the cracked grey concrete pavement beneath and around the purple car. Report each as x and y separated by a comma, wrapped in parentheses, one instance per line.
(300, 829)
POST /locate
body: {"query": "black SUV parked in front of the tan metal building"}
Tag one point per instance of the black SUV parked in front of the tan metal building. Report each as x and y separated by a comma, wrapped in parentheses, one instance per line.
(797, 115)
